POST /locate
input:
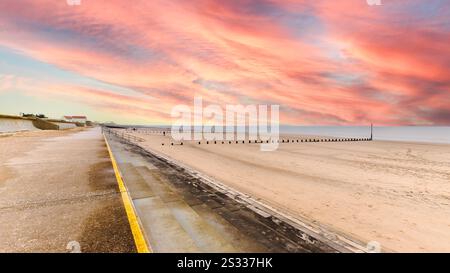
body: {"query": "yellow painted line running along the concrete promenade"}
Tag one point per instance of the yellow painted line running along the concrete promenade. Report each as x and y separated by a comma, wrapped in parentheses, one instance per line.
(138, 235)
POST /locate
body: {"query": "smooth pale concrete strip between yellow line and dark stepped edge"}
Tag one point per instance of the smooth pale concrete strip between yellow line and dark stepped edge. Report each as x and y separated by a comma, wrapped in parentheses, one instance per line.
(172, 220)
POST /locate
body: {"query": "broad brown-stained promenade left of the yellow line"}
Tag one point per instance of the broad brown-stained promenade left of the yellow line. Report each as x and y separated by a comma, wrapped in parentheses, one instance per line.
(58, 187)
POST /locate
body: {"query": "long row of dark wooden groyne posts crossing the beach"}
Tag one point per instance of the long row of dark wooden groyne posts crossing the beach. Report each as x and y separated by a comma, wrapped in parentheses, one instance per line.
(279, 141)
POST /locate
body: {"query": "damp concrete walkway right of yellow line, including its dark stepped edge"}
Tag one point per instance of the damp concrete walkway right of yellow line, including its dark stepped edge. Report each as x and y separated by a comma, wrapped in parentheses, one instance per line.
(180, 213)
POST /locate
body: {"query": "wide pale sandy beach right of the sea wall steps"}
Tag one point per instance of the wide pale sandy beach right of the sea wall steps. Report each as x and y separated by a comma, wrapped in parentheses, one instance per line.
(395, 193)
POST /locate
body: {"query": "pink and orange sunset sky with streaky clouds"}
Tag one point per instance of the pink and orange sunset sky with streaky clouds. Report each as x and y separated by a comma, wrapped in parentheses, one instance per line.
(324, 62)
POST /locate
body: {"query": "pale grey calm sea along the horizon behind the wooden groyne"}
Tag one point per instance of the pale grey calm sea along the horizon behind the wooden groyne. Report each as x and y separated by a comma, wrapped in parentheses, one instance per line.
(433, 134)
